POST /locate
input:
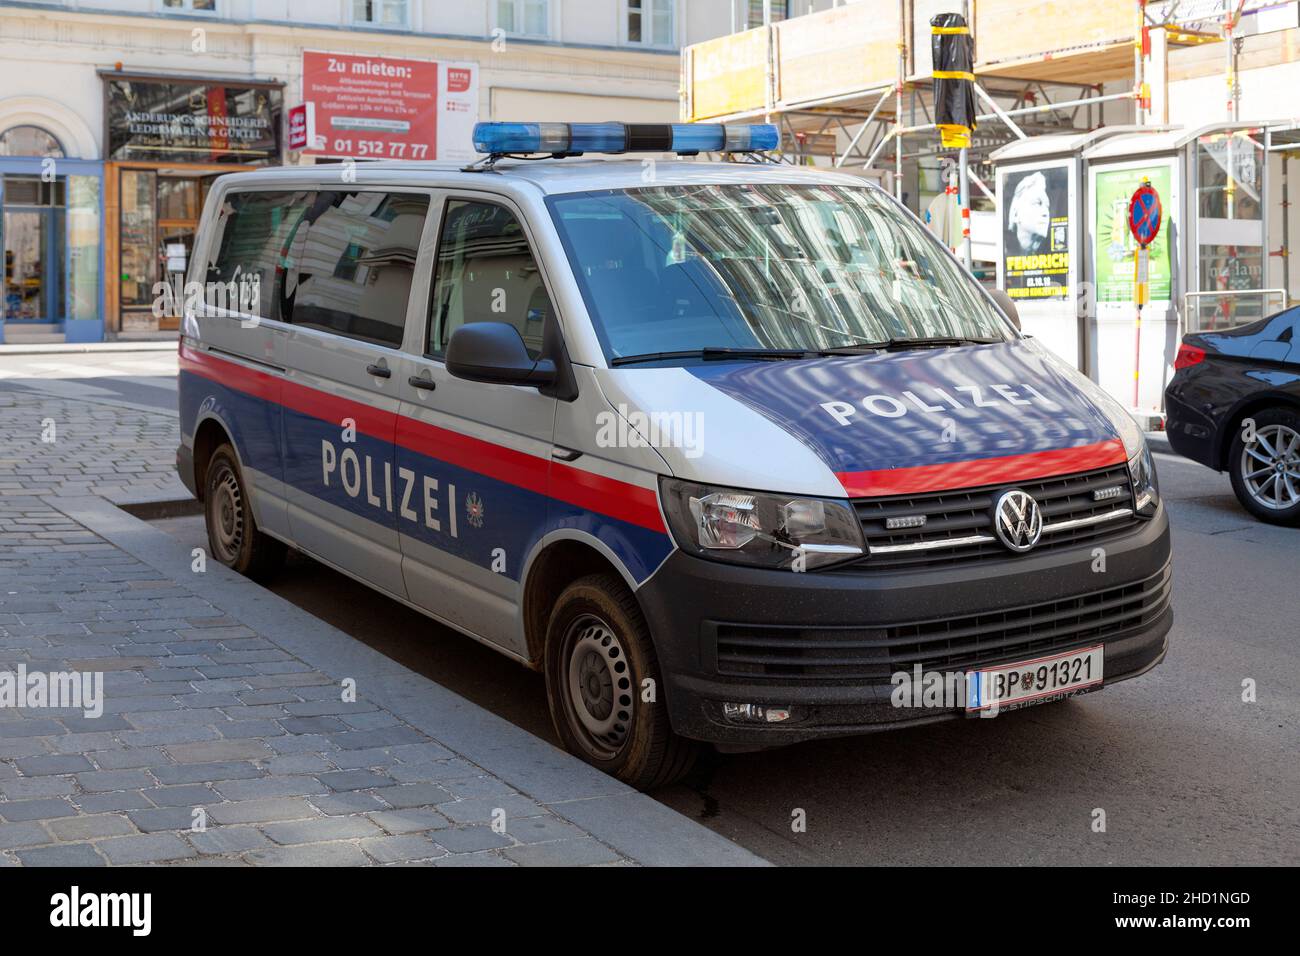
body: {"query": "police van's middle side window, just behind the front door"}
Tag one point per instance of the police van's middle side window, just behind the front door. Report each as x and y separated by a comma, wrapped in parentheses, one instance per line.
(356, 259)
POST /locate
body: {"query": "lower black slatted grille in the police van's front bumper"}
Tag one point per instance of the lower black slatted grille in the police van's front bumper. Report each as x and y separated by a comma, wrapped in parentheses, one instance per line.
(868, 655)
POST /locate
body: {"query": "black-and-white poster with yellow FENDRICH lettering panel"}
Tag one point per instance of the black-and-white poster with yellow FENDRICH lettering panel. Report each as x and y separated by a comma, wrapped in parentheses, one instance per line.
(1037, 233)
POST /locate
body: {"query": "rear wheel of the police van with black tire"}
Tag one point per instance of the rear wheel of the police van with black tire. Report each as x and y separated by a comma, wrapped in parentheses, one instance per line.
(233, 535)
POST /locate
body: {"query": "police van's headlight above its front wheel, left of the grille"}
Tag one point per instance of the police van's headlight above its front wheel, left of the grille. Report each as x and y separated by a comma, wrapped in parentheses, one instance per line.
(761, 530)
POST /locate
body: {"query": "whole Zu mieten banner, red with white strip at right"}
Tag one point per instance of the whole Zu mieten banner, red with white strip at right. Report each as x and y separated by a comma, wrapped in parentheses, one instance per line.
(375, 107)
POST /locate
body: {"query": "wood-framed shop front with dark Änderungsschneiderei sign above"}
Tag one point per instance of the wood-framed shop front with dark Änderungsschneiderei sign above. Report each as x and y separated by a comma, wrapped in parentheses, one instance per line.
(166, 140)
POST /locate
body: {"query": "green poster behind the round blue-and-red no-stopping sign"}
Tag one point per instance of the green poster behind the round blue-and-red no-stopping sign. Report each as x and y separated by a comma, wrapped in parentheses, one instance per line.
(1116, 245)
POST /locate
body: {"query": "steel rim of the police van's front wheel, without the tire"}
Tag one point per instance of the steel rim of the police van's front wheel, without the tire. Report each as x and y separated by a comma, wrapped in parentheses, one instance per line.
(599, 686)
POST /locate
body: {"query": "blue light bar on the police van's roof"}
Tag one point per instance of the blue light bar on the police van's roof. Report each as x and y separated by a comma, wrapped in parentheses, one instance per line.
(575, 139)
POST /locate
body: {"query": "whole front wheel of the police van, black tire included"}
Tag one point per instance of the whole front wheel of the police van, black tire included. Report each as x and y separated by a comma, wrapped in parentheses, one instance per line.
(599, 638)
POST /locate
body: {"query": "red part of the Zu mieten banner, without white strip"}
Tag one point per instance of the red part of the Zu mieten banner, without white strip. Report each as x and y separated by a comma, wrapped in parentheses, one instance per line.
(374, 107)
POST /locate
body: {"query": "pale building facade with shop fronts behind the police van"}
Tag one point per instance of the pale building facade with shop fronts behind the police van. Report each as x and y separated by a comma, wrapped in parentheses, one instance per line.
(115, 116)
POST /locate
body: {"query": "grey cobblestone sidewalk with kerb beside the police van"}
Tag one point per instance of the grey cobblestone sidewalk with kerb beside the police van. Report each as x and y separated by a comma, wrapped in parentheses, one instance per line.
(226, 704)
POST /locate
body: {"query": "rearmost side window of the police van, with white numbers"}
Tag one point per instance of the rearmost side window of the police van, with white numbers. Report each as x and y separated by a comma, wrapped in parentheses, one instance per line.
(253, 254)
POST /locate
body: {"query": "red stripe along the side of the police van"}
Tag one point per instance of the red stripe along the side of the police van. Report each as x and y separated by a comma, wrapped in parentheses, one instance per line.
(606, 496)
